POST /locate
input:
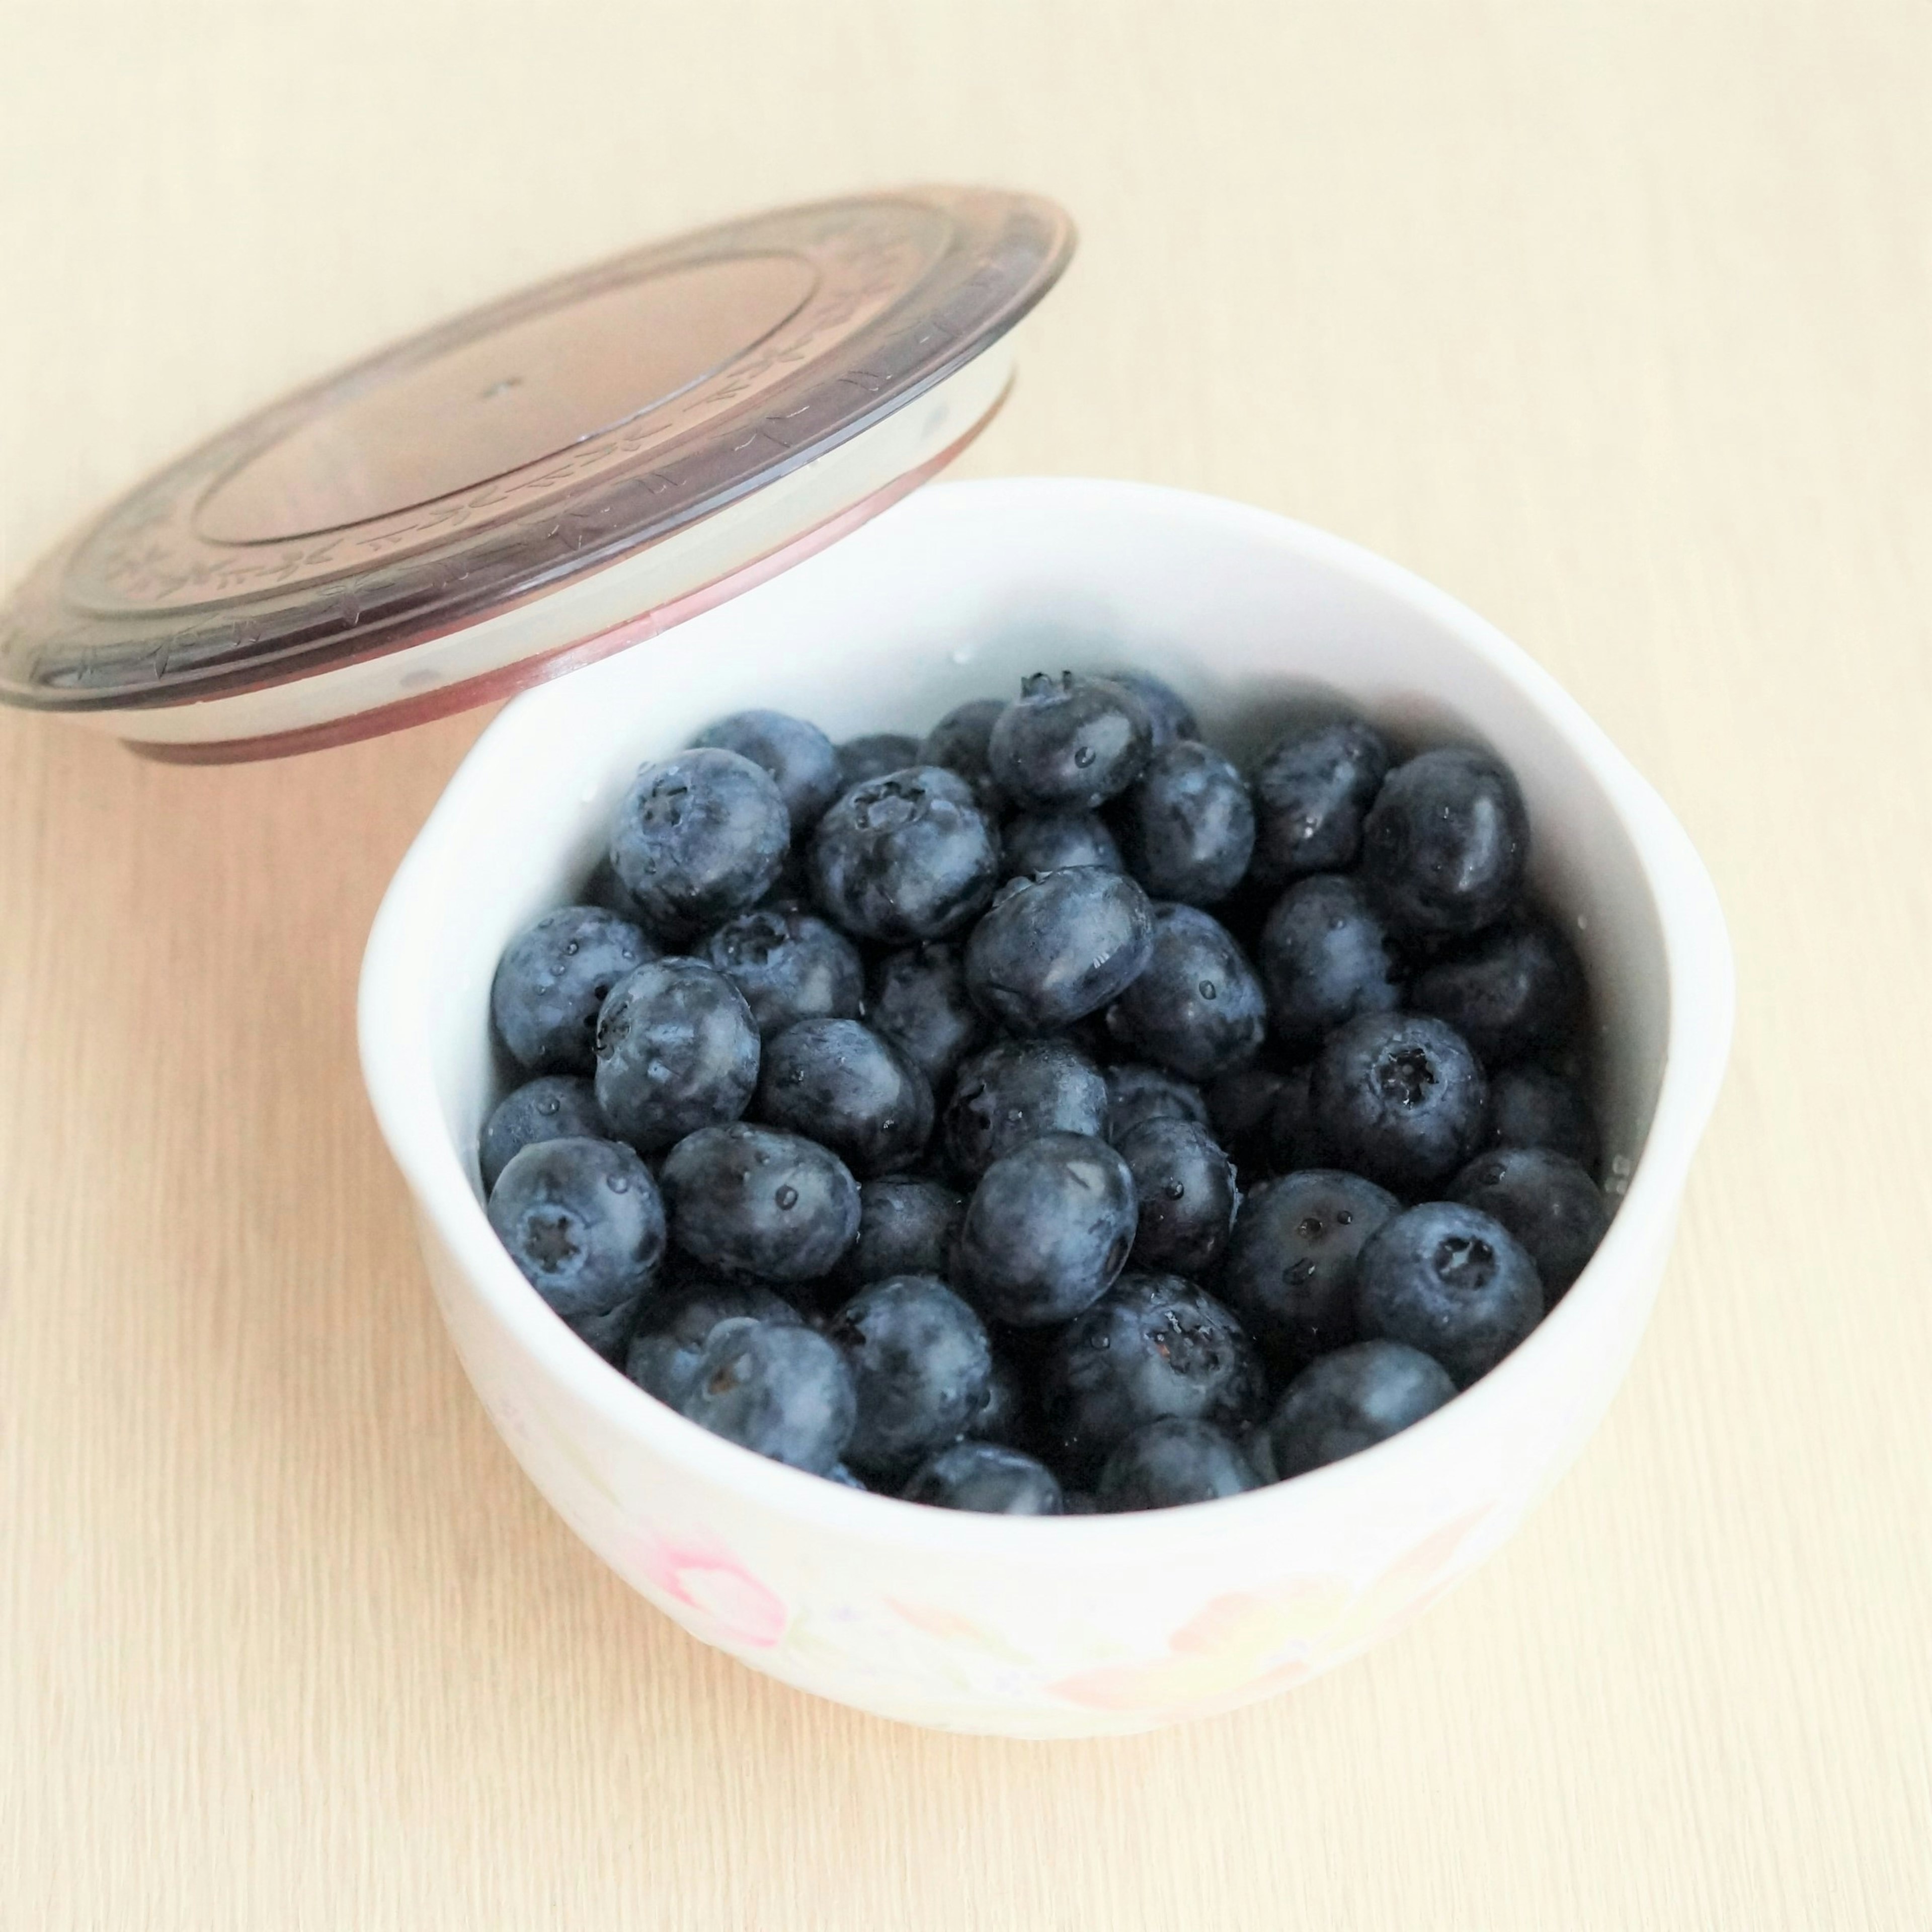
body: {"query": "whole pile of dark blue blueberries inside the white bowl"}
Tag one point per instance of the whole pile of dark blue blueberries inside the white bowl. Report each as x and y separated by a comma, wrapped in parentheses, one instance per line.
(903, 1112)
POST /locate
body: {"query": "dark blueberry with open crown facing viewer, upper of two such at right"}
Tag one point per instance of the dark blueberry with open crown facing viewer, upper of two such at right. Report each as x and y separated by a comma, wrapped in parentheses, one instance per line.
(1400, 1098)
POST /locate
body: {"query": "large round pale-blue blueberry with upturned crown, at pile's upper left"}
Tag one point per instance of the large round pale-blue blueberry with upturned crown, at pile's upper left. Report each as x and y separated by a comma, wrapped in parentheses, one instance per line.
(700, 838)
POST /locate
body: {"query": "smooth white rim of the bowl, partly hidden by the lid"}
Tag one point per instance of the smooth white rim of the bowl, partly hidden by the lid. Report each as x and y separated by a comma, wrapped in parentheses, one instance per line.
(1701, 1008)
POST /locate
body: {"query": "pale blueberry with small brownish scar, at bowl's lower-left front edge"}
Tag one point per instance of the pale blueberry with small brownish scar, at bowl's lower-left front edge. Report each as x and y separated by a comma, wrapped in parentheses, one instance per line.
(776, 1388)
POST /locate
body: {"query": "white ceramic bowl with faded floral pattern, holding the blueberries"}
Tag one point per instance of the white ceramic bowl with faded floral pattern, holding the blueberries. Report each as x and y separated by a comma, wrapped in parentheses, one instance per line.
(1044, 1628)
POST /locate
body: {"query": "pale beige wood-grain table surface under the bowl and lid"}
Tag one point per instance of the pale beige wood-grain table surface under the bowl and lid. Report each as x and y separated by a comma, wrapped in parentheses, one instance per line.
(1618, 324)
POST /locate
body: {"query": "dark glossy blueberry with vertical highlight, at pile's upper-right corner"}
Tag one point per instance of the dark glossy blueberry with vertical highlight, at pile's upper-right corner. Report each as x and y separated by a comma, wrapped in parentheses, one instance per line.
(1446, 843)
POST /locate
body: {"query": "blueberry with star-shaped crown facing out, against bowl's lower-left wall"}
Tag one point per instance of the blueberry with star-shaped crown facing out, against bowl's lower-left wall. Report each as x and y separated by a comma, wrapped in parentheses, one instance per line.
(584, 1224)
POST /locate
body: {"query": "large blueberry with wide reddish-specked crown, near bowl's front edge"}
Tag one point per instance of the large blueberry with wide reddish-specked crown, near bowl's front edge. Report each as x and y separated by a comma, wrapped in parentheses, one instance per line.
(1151, 1348)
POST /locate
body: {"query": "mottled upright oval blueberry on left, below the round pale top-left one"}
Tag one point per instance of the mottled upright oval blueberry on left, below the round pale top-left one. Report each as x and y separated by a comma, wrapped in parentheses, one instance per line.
(675, 1052)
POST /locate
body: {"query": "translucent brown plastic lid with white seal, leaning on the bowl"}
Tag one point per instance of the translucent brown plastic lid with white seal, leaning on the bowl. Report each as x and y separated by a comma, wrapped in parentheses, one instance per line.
(538, 484)
